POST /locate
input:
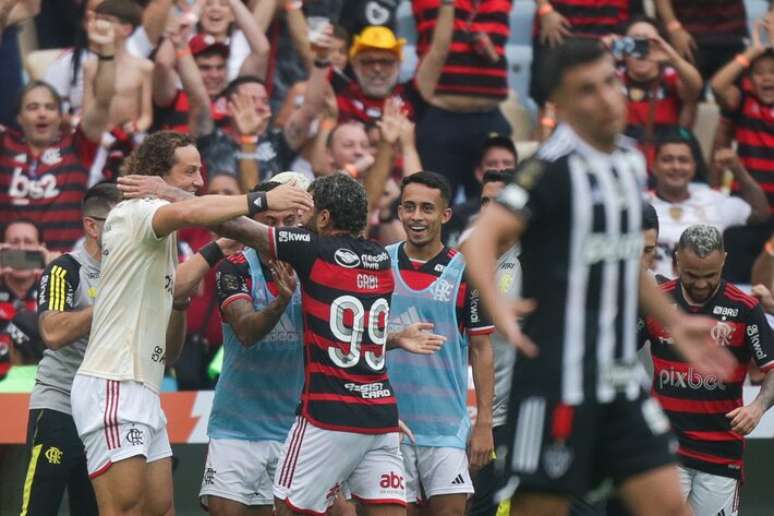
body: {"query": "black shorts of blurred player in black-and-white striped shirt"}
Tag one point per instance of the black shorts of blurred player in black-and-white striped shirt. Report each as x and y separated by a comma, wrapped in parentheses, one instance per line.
(562, 450)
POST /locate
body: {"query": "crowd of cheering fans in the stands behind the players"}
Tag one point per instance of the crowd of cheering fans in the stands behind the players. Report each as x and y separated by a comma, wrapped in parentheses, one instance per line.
(325, 87)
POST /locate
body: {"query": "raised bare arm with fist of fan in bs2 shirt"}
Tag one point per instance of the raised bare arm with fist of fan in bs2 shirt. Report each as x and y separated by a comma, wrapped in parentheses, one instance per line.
(96, 112)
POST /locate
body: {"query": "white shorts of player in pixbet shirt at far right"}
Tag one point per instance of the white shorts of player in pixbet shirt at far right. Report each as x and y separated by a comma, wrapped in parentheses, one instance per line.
(710, 494)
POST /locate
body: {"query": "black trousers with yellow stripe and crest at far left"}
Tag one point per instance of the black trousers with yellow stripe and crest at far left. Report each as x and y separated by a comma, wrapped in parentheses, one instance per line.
(56, 460)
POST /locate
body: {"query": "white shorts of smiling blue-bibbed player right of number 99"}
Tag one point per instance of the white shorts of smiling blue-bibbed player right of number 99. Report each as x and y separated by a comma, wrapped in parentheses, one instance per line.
(435, 471)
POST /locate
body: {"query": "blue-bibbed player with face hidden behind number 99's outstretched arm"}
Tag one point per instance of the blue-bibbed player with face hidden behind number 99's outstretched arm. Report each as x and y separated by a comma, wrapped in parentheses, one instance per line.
(263, 373)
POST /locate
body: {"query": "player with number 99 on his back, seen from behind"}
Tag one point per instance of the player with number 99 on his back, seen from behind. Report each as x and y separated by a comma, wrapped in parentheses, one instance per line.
(347, 427)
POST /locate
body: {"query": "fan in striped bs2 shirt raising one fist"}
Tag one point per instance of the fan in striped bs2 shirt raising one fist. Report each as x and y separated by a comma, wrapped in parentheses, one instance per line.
(44, 173)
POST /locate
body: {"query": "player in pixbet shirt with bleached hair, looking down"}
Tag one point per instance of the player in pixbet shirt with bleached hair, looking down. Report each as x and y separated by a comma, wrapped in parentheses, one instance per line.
(707, 413)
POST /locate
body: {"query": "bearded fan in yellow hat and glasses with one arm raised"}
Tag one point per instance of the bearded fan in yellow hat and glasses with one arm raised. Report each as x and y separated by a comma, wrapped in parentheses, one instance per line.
(375, 56)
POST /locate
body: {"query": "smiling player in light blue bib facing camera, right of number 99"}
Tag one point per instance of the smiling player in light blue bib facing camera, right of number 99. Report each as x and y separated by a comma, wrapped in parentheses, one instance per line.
(432, 390)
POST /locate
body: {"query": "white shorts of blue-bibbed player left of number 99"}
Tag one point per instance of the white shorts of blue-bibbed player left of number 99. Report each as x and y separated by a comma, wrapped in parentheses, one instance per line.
(240, 470)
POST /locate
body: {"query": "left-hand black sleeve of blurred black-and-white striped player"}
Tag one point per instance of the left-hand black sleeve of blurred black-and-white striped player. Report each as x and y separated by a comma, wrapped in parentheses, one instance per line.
(534, 192)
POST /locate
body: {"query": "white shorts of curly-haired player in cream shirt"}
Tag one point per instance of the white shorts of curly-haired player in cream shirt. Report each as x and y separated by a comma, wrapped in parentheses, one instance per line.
(117, 420)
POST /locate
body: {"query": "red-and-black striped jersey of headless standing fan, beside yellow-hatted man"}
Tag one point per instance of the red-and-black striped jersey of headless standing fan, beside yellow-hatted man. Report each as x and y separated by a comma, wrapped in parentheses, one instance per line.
(466, 71)
